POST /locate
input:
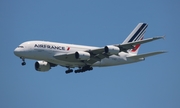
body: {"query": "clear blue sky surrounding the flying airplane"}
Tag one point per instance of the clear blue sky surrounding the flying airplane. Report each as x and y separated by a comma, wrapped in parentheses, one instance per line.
(153, 83)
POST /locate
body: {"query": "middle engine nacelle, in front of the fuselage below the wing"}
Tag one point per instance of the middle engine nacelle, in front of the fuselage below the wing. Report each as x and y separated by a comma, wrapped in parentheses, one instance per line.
(82, 55)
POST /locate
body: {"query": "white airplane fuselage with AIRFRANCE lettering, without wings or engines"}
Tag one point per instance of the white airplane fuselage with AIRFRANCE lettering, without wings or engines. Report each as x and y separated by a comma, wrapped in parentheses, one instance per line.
(44, 50)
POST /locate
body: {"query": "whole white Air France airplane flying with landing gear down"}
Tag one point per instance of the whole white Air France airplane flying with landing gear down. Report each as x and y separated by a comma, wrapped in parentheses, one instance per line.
(84, 58)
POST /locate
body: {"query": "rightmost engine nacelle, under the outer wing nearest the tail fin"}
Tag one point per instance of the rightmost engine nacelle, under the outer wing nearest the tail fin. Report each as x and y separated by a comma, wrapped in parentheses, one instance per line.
(111, 49)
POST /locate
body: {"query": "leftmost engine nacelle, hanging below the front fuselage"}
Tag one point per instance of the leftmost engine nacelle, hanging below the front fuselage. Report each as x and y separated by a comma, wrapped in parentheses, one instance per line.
(42, 66)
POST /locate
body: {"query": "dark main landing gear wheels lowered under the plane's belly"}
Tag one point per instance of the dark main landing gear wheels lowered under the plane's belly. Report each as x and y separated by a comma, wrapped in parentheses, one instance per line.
(80, 70)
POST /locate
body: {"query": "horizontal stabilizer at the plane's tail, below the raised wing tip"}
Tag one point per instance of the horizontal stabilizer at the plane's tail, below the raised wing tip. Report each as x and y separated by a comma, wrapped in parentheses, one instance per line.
(146, 55)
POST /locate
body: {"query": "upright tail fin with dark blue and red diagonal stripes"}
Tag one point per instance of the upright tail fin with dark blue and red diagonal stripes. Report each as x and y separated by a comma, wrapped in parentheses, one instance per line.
(135, 35)
